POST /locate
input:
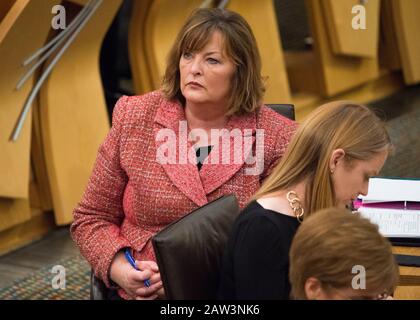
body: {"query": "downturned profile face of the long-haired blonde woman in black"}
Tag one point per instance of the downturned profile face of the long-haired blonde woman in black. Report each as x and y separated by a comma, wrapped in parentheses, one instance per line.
(351, 180)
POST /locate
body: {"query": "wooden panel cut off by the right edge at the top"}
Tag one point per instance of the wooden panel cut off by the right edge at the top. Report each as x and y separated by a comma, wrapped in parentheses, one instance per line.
(407, 24)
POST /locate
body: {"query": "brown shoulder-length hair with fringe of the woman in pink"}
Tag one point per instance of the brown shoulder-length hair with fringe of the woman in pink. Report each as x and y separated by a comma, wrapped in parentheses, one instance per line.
(247, 87)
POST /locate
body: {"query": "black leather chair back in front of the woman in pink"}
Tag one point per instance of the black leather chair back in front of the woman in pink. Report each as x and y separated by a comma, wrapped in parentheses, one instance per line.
(189, 251)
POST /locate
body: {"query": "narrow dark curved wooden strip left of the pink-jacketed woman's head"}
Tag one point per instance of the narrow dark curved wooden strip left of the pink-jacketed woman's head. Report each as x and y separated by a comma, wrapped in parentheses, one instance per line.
(140, 69)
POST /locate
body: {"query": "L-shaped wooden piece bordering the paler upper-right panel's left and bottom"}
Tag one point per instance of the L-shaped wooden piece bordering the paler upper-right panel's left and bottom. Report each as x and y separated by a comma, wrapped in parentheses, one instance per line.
(336, 73)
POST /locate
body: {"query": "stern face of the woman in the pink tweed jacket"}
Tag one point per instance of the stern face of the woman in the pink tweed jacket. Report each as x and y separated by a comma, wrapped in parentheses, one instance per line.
(206, 75)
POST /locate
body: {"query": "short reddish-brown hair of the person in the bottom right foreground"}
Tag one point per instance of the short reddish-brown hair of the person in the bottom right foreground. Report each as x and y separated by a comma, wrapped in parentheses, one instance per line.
(330, 243)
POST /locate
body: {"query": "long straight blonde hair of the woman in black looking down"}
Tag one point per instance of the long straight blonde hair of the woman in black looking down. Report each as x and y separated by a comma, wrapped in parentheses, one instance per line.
(341, 124)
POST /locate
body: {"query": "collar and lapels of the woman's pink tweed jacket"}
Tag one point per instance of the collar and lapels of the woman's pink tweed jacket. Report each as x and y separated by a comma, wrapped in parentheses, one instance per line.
(225, 159)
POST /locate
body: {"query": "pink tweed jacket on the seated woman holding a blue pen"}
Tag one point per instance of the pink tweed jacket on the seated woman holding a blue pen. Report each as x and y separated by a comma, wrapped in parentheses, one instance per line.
(130, 196)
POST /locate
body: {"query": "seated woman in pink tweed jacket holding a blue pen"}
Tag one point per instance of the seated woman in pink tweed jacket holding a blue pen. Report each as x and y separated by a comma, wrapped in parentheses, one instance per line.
(145, 178)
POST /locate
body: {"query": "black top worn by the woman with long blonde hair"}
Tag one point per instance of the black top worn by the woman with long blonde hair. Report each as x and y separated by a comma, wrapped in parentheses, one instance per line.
(256, 260)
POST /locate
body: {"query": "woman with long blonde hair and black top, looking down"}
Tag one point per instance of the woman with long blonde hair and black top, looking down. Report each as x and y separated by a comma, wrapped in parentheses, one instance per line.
(327, 164)
